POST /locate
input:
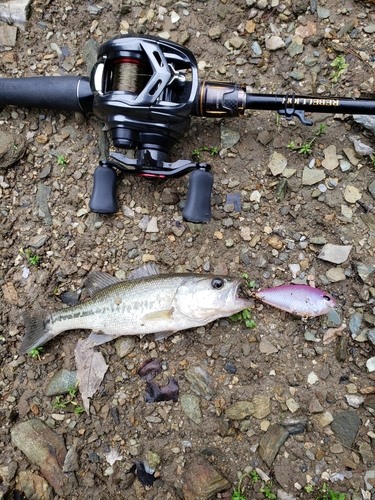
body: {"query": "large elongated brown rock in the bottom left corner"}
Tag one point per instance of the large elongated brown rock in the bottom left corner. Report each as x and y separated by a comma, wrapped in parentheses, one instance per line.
(46, 449)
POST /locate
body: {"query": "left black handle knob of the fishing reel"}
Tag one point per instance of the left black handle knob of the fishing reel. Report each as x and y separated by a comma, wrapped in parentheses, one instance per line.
(103, 197)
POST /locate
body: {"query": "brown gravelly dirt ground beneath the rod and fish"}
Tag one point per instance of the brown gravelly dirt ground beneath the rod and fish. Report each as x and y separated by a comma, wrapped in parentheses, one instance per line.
(283, 360)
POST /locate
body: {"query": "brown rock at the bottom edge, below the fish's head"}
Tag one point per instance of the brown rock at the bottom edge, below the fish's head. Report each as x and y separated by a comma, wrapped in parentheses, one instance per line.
(201, 481)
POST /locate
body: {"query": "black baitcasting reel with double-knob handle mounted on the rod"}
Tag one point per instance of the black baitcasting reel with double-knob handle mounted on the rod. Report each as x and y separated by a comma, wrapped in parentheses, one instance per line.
(144, 90)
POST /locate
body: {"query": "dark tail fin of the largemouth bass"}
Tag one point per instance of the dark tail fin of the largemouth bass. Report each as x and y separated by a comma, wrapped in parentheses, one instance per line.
(38, 331)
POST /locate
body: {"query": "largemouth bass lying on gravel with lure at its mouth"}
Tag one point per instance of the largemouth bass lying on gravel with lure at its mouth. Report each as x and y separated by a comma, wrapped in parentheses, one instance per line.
(147, 302)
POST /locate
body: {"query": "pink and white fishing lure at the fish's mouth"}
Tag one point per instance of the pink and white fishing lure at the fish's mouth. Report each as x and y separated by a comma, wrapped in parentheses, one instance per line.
(301, 300)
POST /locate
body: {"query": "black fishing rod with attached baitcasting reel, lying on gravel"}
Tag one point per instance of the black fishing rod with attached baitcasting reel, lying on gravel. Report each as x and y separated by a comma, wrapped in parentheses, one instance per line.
(146, 89)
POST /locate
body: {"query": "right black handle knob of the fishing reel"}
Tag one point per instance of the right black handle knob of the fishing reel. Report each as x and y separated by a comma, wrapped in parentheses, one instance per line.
(198, 204)
